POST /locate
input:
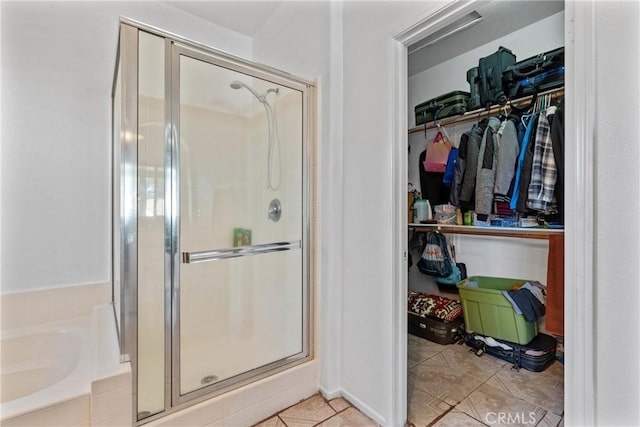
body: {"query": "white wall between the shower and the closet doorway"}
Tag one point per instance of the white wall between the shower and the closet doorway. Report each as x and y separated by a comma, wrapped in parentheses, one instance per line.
(368, 288)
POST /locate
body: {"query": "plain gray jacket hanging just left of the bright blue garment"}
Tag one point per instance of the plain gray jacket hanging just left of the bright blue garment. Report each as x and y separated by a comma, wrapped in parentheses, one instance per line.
(508, 152)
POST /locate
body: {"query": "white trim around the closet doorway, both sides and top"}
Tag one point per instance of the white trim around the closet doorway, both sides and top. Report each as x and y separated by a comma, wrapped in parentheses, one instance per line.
(580, 344)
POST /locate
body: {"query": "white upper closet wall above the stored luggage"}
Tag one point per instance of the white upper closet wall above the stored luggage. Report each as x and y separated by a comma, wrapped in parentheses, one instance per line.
(541, 36)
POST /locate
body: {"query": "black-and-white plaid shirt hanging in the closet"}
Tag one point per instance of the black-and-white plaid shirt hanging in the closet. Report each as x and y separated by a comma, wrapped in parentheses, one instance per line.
(544, 172)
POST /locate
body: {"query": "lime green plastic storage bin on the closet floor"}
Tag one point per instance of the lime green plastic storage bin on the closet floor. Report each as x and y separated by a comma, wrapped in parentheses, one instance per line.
(486, 311)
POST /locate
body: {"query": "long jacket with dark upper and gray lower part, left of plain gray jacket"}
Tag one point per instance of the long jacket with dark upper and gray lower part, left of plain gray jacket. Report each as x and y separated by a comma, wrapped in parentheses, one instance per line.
(486, 173)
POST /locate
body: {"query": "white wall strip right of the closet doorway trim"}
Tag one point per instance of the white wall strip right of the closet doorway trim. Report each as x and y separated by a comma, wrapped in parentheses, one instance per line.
(617, 184)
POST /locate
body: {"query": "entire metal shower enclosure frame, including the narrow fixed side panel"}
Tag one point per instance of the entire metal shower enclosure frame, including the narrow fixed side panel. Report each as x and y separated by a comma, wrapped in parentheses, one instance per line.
(127, 62)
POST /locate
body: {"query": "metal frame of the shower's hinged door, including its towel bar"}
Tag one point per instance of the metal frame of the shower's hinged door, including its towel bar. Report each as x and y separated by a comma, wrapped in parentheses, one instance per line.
(172, 221)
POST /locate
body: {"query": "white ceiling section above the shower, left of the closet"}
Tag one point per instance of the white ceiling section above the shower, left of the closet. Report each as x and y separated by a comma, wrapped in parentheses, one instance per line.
(242, 16)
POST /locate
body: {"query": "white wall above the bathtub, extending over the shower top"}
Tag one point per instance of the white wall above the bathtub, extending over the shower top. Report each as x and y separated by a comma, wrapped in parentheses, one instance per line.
(58, 60)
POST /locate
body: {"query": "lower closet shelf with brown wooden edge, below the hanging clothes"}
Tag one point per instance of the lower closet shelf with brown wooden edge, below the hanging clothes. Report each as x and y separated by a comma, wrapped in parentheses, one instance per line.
(523, 233)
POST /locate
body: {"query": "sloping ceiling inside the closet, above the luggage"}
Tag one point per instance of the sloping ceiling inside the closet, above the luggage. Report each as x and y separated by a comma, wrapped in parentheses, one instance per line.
(499, 19)
